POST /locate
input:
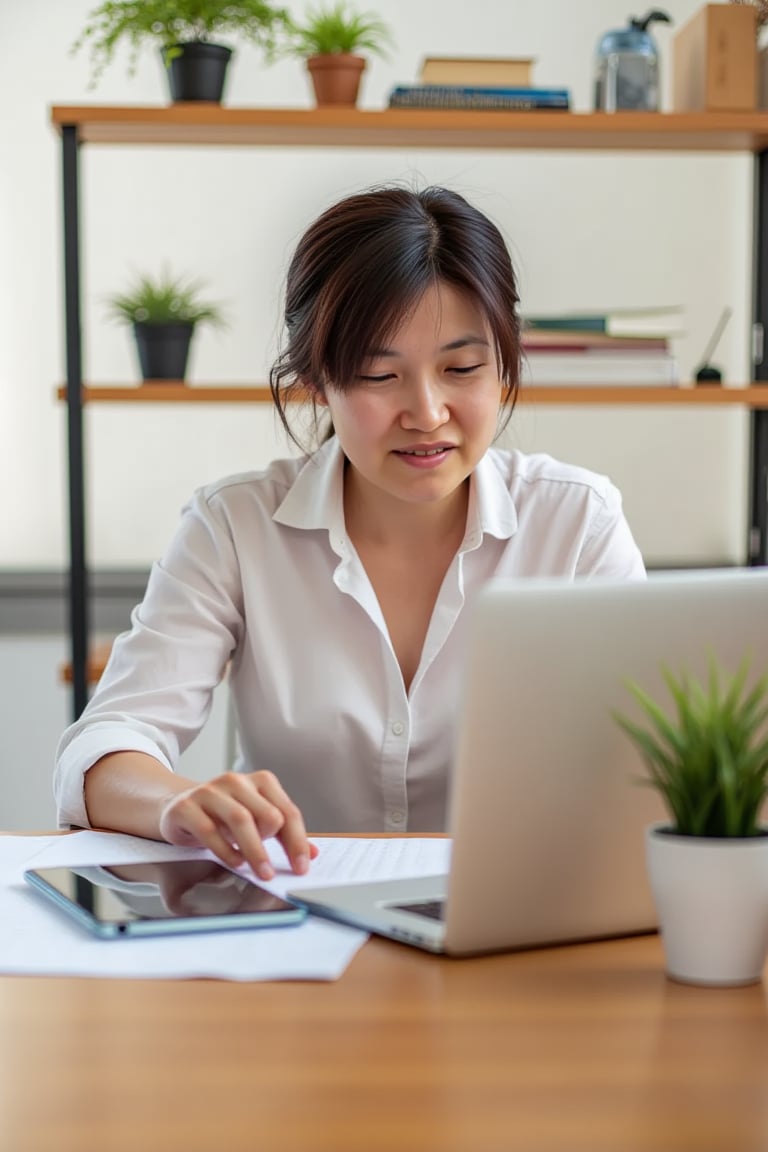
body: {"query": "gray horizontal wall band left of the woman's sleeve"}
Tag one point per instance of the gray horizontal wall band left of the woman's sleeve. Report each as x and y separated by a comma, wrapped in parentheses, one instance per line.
(36, 602)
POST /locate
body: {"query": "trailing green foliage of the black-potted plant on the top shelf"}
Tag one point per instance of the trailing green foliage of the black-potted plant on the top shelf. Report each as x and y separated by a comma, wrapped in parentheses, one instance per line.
(170, 24)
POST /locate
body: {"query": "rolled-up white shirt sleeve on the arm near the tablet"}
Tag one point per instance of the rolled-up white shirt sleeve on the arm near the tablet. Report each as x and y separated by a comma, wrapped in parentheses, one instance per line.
(157, 689)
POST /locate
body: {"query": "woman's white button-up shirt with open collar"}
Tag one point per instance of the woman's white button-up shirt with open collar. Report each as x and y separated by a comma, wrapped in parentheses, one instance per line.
(263, 579)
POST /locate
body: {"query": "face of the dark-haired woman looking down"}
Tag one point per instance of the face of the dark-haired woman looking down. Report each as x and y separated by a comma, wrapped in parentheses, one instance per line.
(425, 408)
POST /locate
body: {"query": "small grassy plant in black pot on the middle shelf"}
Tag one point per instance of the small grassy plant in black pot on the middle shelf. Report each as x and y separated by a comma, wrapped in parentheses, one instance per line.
(164, 314)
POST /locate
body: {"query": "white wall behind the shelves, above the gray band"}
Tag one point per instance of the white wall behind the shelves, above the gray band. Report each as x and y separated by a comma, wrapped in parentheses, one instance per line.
(588, 231)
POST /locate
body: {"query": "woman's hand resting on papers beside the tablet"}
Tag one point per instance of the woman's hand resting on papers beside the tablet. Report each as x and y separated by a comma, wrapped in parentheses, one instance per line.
(233, 816)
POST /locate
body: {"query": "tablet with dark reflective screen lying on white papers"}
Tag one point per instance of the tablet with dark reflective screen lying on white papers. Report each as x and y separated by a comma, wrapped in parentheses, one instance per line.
(162, 898)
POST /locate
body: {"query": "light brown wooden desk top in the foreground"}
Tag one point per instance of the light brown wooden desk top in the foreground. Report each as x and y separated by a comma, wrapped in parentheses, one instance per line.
(571, 1050)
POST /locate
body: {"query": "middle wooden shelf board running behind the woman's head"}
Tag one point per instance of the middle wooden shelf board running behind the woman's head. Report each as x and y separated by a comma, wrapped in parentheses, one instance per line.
(755, 396)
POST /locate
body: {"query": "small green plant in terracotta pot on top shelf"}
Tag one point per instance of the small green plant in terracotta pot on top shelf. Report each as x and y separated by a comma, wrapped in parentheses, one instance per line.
(332, 40)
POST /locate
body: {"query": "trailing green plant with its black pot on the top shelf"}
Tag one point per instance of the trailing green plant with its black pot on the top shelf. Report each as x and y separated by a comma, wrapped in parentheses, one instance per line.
(187, 33)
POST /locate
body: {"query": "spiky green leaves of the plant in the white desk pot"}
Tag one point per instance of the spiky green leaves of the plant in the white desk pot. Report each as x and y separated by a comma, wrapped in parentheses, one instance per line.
(710, 762)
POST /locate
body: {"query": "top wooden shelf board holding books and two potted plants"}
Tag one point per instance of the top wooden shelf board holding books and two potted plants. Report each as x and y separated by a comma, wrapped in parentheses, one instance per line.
(201, 124)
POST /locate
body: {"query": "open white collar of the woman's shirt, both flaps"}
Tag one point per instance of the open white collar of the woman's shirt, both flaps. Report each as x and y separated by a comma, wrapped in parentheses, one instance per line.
(316, 498)
